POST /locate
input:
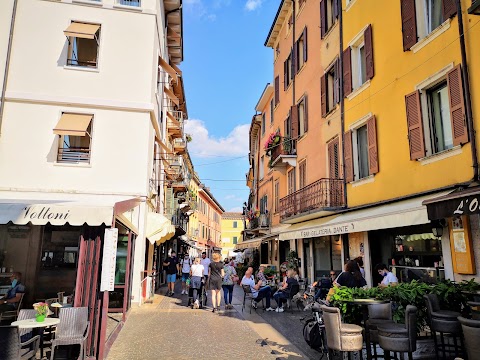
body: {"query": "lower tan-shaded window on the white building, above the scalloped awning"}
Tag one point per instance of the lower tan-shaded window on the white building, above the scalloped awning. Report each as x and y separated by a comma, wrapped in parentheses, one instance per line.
(75, 137)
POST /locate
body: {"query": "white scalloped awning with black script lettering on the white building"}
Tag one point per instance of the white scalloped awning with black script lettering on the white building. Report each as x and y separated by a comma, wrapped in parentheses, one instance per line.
(57, 209)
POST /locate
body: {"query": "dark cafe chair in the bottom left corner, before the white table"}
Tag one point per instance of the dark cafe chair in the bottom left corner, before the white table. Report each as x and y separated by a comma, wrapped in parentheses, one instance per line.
(11, 348)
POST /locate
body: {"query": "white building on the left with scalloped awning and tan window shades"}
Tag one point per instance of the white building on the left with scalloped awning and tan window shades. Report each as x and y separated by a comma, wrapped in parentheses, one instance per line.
(82, 118)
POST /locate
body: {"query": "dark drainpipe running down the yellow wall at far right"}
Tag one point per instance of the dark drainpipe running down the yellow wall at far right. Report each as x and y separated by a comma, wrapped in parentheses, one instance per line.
(466, 91)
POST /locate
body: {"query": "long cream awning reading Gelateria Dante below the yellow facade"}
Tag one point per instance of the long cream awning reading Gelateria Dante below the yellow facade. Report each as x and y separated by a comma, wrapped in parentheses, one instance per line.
(398, 214)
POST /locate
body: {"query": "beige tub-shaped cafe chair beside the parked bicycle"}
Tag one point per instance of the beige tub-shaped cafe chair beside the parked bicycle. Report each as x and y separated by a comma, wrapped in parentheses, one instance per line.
(340, 336)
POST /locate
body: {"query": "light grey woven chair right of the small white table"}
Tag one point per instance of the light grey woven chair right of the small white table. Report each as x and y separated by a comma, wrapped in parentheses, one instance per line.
(73, 329)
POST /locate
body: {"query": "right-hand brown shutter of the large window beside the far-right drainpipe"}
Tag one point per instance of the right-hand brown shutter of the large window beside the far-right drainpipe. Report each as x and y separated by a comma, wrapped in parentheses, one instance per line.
(457, 106)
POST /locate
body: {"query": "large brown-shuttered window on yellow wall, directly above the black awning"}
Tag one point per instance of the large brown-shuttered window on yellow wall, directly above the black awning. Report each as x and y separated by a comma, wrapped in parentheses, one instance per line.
(435, 115)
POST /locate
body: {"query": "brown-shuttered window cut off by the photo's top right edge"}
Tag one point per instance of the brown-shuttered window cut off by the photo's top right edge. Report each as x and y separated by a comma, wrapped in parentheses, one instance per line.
(421, 17)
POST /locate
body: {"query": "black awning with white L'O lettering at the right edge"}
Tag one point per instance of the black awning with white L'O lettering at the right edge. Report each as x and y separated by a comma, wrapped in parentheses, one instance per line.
(456, 203)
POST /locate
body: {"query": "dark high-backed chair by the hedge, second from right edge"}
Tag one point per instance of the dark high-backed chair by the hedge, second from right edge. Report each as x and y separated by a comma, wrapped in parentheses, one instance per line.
(443, 321)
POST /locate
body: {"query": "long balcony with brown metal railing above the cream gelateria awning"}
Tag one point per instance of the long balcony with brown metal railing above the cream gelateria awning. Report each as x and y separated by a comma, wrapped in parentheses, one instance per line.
(324, 195)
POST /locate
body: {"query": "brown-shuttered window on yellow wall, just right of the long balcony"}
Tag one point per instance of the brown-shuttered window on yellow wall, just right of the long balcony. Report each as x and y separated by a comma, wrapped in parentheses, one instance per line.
(361, 154)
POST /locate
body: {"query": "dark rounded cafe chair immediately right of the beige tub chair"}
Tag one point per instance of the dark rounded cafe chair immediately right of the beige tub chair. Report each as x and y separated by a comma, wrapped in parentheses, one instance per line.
(399, 337)
